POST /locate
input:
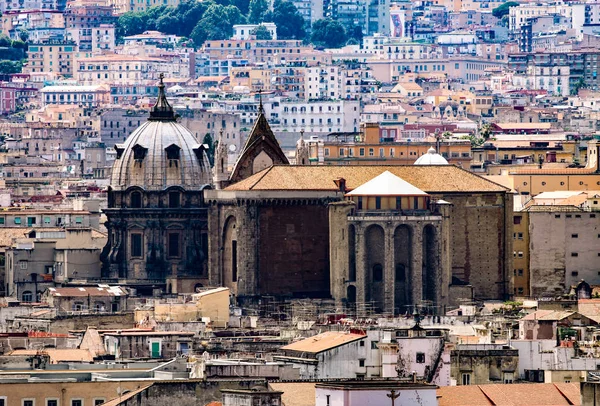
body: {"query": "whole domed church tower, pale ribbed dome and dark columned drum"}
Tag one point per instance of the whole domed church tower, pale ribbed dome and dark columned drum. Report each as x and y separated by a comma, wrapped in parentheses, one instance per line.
(157, 219)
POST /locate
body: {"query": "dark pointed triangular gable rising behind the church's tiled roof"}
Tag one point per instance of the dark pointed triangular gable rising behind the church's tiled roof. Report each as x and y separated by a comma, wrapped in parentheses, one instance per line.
(260, 151)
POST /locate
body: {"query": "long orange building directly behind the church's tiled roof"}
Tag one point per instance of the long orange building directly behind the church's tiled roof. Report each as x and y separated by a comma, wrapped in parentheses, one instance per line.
(369, 149)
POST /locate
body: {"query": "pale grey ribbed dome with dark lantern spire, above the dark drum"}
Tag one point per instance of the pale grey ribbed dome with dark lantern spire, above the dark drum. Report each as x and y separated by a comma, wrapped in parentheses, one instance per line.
(161, 153)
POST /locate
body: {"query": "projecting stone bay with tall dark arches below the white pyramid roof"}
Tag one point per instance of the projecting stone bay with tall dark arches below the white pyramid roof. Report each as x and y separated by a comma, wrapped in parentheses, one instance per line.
(410, 250)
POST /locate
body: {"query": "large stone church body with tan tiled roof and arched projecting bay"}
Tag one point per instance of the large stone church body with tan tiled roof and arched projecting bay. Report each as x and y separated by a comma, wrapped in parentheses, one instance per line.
(293, 230)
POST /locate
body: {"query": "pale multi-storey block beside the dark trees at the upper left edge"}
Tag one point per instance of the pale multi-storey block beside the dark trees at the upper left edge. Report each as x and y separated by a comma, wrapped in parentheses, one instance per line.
(52, 56)
